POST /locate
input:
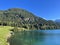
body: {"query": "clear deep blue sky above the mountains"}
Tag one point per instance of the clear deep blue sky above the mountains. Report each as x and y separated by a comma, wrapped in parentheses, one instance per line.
(47, 9)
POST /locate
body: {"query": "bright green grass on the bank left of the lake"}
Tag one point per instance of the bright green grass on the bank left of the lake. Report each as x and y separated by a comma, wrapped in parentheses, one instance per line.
(4, 32)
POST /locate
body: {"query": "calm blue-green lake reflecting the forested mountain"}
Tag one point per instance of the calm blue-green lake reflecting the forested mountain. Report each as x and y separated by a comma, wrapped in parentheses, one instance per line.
(36, 37)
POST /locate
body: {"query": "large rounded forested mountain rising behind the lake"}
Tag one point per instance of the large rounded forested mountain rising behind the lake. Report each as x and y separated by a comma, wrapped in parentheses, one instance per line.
(23, 19)
